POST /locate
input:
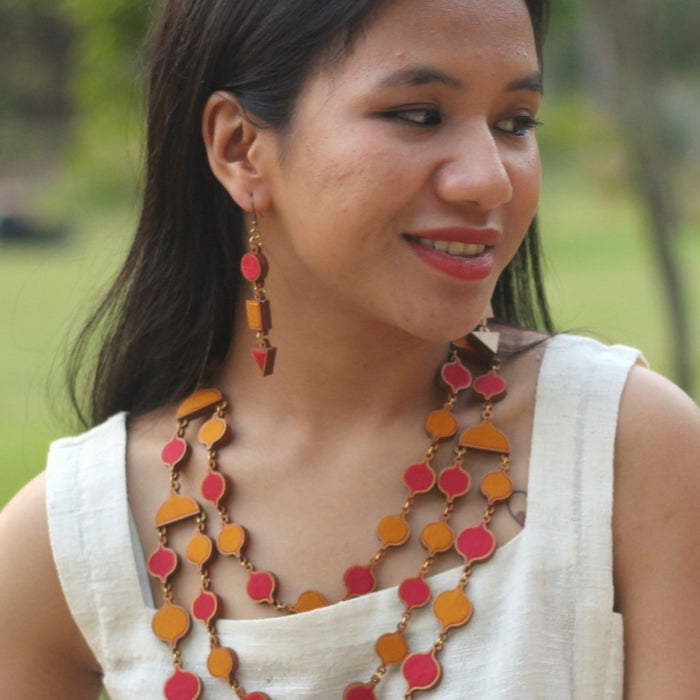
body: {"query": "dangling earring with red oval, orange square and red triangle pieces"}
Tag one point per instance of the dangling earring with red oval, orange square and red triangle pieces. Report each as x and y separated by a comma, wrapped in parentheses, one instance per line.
(254, 267)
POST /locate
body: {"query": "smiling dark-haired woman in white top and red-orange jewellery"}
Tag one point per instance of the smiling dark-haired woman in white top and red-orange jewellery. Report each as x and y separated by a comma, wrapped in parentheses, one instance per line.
(377, 161)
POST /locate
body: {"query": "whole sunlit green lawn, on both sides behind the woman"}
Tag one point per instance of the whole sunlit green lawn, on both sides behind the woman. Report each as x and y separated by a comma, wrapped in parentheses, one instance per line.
(602, 280)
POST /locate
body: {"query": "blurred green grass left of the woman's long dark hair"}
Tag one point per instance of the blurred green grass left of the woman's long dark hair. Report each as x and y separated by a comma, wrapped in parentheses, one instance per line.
(45, 292)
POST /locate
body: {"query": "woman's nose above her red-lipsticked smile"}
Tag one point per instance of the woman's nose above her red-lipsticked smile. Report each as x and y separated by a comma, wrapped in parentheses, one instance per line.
(475, 172)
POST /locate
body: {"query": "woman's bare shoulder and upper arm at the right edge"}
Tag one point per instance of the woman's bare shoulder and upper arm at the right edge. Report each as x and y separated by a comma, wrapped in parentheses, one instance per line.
(657, 537)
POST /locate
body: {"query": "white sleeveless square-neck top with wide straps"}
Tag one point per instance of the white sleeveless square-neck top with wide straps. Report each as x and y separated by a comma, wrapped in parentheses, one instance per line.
(543, 623)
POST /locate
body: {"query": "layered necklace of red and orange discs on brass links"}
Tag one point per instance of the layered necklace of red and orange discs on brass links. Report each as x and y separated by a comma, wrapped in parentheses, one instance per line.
(452, 608)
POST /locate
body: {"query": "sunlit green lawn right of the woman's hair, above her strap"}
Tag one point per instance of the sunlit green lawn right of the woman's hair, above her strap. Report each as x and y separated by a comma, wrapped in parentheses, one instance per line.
(602, 276)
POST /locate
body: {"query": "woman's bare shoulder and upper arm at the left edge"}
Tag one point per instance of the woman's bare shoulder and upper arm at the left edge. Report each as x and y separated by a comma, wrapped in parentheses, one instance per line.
(43, 653)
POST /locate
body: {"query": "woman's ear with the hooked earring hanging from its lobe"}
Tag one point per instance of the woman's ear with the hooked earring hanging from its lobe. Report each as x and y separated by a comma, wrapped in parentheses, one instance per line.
(233, 148)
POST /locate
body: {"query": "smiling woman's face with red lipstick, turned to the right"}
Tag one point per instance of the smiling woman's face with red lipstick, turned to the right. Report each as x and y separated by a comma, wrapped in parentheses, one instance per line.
(410, 173)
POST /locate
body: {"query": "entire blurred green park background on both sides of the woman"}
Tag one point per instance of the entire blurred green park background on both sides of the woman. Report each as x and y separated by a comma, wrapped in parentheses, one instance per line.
(620, 214)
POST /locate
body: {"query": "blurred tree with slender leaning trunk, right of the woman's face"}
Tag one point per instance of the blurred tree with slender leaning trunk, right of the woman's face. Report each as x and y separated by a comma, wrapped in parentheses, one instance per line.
(631, 50)
